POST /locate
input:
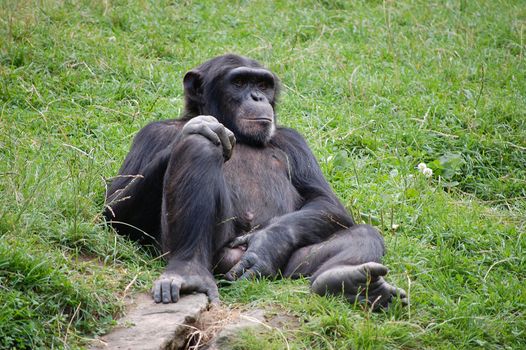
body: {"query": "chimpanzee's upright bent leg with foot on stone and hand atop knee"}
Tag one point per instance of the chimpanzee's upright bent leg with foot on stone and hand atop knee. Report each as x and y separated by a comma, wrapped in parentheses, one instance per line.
(195, 207)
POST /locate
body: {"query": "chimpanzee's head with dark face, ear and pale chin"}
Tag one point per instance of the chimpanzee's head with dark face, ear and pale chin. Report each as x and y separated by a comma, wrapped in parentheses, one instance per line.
(239, 92)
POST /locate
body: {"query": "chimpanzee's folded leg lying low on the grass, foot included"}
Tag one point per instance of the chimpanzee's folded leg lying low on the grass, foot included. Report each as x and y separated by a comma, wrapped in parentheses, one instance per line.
(349, 264)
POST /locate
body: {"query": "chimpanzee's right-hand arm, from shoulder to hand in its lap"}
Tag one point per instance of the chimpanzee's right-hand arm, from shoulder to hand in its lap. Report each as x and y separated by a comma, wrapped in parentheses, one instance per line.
(320, 216)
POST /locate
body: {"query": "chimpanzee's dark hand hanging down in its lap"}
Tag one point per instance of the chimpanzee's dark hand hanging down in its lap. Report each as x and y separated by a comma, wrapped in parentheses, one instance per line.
(267, 252)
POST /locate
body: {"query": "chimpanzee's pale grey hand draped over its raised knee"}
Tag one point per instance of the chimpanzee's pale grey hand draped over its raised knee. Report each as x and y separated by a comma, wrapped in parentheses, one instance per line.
(213, 130)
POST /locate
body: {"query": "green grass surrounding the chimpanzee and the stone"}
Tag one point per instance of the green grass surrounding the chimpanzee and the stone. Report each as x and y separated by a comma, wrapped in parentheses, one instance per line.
(375, 86)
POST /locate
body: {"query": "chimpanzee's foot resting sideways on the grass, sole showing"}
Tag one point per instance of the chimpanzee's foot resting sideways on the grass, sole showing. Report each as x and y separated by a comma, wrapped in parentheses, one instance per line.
(359, 283)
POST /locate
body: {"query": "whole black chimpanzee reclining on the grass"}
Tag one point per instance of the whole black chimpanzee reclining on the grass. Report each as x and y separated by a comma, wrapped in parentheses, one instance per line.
(225, 190)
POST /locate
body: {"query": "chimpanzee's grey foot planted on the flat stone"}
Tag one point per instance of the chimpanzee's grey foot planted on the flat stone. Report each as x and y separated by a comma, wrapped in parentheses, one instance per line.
(184, 277)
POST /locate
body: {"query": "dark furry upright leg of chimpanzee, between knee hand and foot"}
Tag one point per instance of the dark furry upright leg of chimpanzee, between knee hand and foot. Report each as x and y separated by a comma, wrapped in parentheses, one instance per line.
(196, 204)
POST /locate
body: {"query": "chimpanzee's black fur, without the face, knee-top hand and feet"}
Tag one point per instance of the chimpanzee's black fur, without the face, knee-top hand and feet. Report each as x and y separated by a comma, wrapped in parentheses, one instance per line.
(192, 203)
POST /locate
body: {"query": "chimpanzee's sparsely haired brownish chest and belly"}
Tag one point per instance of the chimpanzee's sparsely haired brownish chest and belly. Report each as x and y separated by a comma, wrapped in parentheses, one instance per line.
(259, 180)
